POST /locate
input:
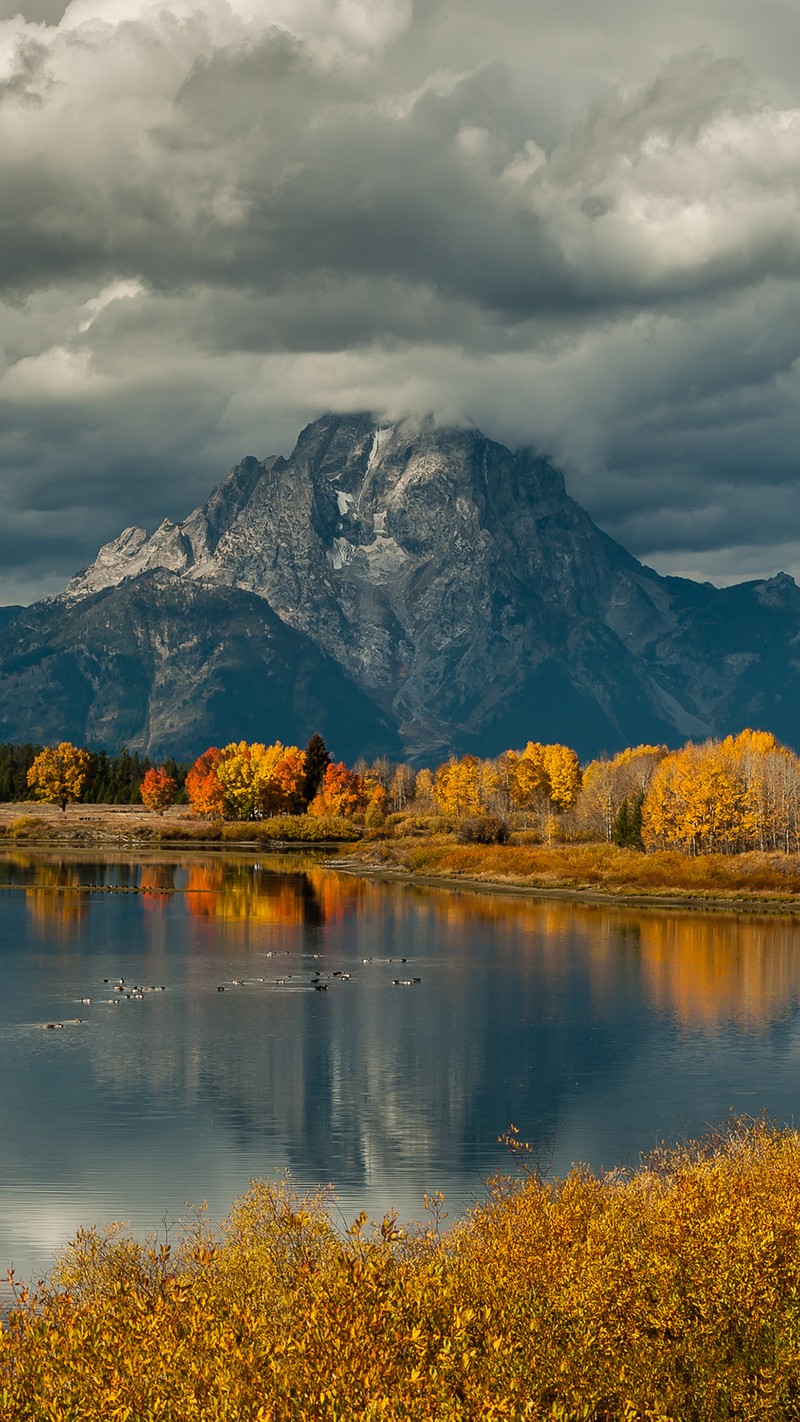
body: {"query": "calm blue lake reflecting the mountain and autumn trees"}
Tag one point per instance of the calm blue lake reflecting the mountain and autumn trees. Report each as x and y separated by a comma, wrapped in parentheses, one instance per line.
(596, 1030)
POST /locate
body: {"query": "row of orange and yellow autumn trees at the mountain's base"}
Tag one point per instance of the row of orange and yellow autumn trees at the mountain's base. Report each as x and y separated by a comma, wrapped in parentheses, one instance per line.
(720, 797)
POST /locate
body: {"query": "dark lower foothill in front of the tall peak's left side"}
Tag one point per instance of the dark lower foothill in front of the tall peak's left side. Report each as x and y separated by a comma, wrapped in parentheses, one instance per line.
(168, 666)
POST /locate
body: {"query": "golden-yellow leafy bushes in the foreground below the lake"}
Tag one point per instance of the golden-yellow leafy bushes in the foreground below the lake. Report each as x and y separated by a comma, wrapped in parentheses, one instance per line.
(671, 1293)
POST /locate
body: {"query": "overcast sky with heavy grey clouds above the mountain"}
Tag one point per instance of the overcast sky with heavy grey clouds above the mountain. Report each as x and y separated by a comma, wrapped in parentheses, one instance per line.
(572, 223)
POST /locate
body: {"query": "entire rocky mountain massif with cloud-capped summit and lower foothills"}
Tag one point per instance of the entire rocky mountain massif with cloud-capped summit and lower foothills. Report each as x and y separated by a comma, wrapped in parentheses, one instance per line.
(406, 589)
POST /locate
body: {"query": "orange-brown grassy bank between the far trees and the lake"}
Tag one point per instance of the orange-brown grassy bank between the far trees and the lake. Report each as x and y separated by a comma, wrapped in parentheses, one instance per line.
(593, 874)
